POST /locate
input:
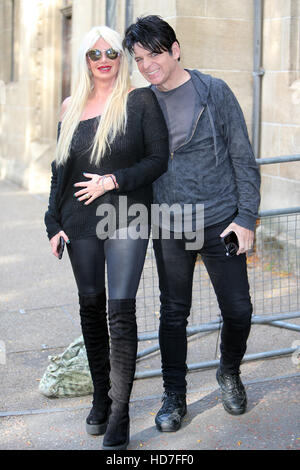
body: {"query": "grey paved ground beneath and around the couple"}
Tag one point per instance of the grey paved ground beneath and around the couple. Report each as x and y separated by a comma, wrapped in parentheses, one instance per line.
(38, 318)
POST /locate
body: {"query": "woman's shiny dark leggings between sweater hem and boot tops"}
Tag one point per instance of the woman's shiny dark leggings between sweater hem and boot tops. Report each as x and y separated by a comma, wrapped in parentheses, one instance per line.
(124, 259)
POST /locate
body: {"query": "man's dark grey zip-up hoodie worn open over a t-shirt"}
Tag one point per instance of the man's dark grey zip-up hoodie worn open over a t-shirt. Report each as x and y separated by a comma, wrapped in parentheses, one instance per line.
(215, 166)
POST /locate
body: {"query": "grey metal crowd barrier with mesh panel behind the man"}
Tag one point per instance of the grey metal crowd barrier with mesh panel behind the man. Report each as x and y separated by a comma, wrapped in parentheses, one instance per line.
(274, 278)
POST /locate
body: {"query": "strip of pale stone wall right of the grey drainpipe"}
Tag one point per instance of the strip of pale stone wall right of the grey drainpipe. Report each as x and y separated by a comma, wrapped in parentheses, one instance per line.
(281, 102)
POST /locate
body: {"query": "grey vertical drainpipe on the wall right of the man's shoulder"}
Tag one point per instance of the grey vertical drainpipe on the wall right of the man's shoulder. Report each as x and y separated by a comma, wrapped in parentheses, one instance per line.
(258, 73)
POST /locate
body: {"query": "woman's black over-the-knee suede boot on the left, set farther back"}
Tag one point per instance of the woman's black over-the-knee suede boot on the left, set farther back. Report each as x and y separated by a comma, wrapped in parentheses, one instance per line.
(96, 339)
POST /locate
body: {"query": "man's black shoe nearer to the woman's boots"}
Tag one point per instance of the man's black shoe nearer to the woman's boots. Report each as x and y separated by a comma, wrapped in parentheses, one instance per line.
(168, 419)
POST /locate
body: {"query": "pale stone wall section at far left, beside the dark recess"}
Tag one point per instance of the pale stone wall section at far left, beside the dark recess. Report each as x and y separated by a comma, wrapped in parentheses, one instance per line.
(30, 92)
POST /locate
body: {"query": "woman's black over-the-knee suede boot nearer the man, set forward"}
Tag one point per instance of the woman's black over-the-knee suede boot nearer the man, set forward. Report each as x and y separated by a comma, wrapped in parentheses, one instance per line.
(123, 350)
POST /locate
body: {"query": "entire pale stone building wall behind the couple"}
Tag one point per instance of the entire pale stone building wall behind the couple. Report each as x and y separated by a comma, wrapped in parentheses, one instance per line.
(216, 37)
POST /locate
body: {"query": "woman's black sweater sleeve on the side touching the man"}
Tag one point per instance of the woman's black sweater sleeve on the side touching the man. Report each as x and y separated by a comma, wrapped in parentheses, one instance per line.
(154, 161)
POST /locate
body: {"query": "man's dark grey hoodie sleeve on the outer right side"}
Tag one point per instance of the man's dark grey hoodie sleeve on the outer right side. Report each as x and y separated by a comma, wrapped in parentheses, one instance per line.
(247, 175)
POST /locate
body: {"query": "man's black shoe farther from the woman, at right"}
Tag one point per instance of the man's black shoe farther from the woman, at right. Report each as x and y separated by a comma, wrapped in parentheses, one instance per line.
(234, 396)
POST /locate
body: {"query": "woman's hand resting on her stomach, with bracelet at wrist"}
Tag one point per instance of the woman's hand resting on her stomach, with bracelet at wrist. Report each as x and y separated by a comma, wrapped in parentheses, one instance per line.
(94, 188)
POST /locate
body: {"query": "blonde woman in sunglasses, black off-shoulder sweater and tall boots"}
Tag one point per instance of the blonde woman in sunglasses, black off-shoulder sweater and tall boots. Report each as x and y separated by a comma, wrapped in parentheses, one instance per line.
(113, 143)
